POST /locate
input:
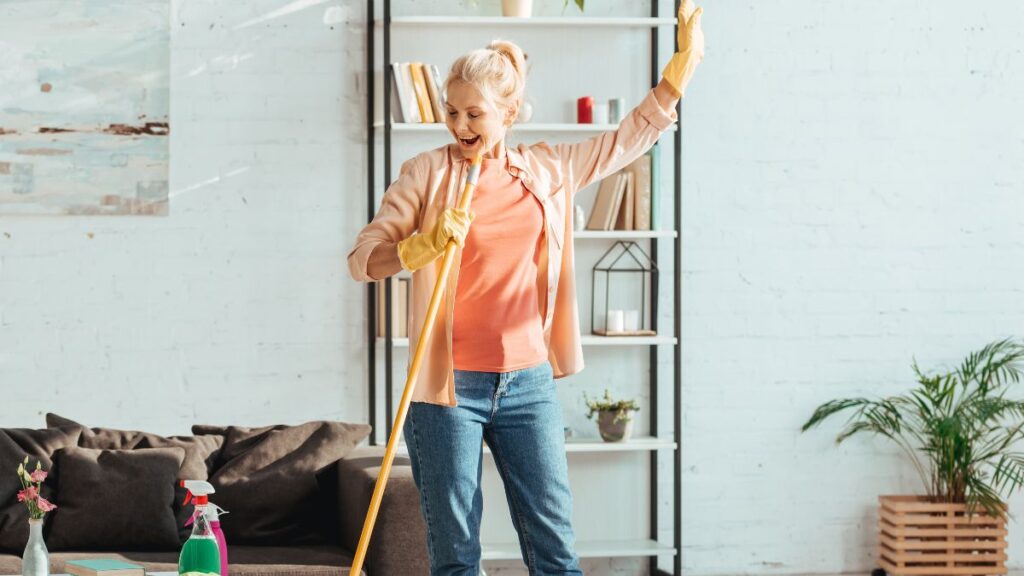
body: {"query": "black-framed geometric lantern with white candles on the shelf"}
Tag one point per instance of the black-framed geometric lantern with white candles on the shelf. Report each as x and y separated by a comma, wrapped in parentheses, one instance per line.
(621, 278)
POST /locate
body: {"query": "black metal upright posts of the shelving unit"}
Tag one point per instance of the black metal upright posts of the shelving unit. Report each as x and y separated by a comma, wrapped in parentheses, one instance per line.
(389, 341)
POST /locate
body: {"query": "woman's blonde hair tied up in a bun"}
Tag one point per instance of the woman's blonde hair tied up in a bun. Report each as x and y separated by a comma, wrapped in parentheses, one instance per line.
(499, 72)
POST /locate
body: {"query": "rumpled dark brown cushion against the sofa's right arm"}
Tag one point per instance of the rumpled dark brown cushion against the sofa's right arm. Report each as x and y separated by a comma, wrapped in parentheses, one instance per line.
(267, 478)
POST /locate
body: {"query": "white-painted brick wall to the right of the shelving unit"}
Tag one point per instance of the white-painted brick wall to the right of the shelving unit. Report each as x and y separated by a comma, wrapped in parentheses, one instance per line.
(852, 199)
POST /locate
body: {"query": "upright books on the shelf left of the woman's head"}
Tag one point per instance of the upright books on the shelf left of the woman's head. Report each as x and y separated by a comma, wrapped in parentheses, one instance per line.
(417, 97)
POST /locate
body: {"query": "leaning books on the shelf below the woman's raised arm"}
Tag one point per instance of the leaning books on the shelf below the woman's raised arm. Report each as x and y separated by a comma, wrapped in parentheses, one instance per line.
(627, 199)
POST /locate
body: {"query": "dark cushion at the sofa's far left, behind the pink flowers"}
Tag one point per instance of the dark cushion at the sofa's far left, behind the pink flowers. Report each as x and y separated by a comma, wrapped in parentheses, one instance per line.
(16, 444)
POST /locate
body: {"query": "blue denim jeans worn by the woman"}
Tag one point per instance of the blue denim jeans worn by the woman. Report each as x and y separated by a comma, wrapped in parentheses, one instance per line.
(519, 415)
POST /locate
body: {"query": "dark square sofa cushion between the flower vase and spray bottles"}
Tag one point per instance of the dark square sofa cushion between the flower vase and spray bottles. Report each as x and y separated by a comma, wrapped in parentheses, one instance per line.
(116, 500)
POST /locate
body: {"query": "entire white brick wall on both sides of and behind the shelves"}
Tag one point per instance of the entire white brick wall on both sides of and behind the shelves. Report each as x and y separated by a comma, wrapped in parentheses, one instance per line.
(852, 182)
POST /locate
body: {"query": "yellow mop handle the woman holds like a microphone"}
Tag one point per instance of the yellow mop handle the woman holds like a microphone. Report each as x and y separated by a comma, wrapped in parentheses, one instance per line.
(414, 369)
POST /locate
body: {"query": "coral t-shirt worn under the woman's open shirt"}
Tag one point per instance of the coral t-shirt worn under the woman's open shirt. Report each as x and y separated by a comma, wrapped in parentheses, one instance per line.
(498, 325)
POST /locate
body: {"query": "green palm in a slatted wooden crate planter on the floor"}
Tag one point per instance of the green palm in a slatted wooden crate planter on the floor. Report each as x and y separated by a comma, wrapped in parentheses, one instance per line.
(960, 431)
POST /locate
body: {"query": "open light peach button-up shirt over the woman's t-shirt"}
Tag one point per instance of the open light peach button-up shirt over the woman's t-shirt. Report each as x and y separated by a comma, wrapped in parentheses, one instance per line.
(434, 181)
